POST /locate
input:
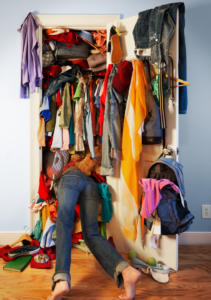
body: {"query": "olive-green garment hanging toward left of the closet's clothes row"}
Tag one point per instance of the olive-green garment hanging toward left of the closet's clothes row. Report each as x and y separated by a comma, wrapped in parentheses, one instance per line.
(66, 111)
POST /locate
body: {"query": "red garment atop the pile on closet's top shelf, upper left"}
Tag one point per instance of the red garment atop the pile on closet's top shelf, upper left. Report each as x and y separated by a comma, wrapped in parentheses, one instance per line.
(68, 38)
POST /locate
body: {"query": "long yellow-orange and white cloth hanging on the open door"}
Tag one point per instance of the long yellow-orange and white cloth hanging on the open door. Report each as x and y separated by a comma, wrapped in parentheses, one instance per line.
(135, 114)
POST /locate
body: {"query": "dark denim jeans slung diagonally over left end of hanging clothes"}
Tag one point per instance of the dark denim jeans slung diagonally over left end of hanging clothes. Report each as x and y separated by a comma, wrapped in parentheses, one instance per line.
(56, 82)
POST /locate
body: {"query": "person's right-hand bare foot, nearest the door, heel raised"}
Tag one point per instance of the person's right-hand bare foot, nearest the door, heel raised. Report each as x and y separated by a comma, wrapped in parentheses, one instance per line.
(131, 277)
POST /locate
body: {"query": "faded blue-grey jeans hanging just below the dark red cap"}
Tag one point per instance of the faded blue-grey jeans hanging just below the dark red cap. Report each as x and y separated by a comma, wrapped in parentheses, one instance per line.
(112, 136)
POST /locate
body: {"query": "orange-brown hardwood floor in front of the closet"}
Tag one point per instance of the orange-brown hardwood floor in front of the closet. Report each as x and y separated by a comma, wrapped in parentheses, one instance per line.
(91, 282)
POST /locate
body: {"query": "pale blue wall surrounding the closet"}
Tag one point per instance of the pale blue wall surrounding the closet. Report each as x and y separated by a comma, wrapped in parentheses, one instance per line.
(195, 135)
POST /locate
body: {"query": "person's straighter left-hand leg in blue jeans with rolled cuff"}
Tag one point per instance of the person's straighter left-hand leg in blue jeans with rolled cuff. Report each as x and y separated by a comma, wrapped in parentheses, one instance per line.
(68, 191)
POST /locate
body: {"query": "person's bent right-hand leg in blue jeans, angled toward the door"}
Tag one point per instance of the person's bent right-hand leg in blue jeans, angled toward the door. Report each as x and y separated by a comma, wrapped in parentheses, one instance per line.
(104, 252)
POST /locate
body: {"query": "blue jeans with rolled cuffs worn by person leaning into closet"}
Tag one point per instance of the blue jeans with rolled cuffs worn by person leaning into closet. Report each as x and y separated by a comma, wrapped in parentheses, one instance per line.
(73, 186)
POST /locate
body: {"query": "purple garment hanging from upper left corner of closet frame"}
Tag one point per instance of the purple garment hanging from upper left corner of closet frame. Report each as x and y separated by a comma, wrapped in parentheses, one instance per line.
(31, 73)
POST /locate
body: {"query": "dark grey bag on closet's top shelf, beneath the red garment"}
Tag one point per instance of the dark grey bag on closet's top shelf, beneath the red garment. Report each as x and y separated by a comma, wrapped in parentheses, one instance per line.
(76, 51)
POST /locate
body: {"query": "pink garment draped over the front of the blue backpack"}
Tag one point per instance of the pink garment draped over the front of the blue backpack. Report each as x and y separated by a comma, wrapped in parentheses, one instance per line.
(152, 188)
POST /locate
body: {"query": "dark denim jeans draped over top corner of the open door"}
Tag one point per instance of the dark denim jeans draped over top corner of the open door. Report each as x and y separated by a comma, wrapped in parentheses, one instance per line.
(153, 30)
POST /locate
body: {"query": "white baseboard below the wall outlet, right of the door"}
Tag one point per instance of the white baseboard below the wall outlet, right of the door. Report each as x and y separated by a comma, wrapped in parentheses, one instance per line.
(195, 238)
